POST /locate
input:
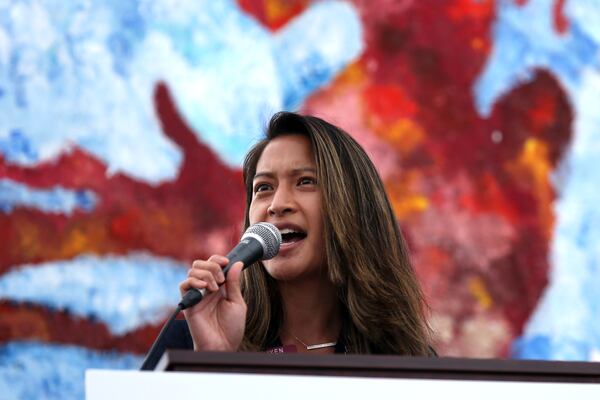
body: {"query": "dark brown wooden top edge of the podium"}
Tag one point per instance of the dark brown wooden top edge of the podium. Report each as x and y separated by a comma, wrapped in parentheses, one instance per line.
(381, 366)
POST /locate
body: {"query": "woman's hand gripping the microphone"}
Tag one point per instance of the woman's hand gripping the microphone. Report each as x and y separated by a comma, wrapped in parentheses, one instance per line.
(217, 323)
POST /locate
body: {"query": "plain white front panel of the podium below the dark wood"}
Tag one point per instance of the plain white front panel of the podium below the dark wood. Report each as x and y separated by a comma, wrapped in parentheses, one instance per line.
(129, 385)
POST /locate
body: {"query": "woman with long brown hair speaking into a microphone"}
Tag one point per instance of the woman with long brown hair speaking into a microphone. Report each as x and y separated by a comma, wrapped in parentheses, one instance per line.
(342, 281)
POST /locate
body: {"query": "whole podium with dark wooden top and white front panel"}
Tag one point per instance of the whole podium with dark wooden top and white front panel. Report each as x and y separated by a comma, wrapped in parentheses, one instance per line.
(300, 376)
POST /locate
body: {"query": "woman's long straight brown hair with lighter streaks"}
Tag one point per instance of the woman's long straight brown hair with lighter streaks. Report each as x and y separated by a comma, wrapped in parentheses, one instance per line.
(366, 256)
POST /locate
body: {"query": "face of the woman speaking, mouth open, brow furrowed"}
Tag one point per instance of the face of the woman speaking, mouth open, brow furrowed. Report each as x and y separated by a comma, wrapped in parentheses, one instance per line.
(286, 193)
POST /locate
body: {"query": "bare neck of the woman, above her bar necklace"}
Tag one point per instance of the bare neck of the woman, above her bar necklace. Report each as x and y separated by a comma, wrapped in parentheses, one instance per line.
(311, 312)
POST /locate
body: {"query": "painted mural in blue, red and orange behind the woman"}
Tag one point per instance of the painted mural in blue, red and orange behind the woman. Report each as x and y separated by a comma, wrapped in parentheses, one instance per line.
(123, 125)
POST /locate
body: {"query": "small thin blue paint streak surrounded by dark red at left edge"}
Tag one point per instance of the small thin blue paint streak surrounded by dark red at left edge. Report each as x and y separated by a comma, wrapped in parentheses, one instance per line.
(57, 200)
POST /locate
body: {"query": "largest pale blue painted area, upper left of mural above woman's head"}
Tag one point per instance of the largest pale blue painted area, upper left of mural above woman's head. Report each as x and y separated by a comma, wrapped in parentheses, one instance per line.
(92, 83)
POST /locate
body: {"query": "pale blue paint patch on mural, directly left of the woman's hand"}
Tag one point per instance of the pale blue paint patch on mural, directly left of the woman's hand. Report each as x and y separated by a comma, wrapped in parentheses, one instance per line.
(123, 292)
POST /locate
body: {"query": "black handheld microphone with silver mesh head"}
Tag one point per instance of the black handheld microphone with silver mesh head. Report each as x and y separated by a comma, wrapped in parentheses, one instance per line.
(261, 241)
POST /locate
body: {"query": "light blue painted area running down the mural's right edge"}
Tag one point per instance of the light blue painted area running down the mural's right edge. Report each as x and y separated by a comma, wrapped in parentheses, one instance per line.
(564, 325)
